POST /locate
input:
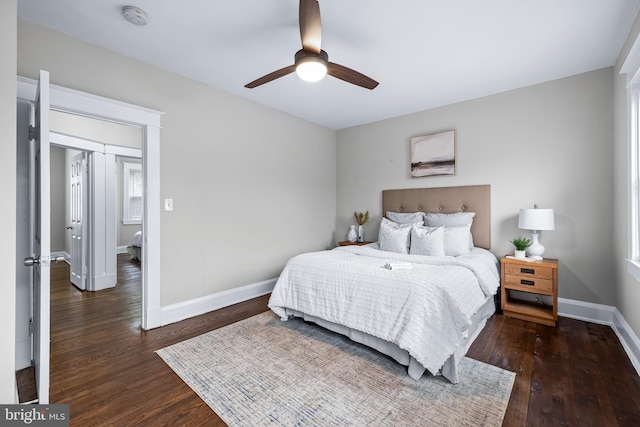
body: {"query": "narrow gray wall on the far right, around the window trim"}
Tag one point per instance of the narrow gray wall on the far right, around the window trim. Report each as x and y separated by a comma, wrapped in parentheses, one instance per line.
(627, 288)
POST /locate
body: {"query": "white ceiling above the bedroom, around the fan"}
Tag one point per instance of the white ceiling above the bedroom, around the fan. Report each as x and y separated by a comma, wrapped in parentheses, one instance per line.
(424, 53)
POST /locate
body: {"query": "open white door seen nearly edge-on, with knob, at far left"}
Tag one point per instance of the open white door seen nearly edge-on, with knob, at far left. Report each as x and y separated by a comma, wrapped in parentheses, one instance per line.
(41, 258)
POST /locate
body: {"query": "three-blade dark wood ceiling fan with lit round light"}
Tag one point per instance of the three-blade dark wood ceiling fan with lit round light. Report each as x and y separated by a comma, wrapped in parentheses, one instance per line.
(312, 63)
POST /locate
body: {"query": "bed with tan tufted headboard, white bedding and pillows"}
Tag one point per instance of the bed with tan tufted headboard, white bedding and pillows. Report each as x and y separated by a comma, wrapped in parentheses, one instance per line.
(423, 309)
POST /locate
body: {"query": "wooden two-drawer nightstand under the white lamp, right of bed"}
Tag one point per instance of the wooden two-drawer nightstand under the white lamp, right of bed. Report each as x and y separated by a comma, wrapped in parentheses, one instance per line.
(537, 278)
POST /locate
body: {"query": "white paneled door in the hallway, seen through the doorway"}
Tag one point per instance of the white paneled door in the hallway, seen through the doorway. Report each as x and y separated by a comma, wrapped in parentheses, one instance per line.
(78, 194)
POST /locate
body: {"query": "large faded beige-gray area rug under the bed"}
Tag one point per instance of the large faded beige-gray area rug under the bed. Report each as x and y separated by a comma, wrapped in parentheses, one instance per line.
(265, 372)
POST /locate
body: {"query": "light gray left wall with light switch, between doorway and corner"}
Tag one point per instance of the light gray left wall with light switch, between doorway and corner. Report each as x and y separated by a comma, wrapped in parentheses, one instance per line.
(251, 186)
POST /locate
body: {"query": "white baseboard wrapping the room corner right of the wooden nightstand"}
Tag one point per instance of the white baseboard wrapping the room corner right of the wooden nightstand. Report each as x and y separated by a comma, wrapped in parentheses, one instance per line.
(604, 315)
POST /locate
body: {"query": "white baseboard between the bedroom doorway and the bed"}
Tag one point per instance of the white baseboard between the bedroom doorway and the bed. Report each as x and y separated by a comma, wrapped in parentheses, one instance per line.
(195, 307)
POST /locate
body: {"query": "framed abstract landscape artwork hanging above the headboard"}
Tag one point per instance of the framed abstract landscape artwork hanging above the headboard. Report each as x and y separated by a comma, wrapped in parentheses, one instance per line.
(433, 154)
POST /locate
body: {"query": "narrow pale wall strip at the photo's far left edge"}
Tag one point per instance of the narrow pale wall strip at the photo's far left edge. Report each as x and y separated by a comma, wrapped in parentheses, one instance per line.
(8, 13)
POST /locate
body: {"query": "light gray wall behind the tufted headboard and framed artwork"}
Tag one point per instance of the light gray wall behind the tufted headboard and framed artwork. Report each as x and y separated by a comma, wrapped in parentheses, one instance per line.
(550, 144)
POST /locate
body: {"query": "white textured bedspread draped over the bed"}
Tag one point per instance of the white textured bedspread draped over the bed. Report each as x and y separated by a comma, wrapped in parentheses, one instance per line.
(425, 310)
